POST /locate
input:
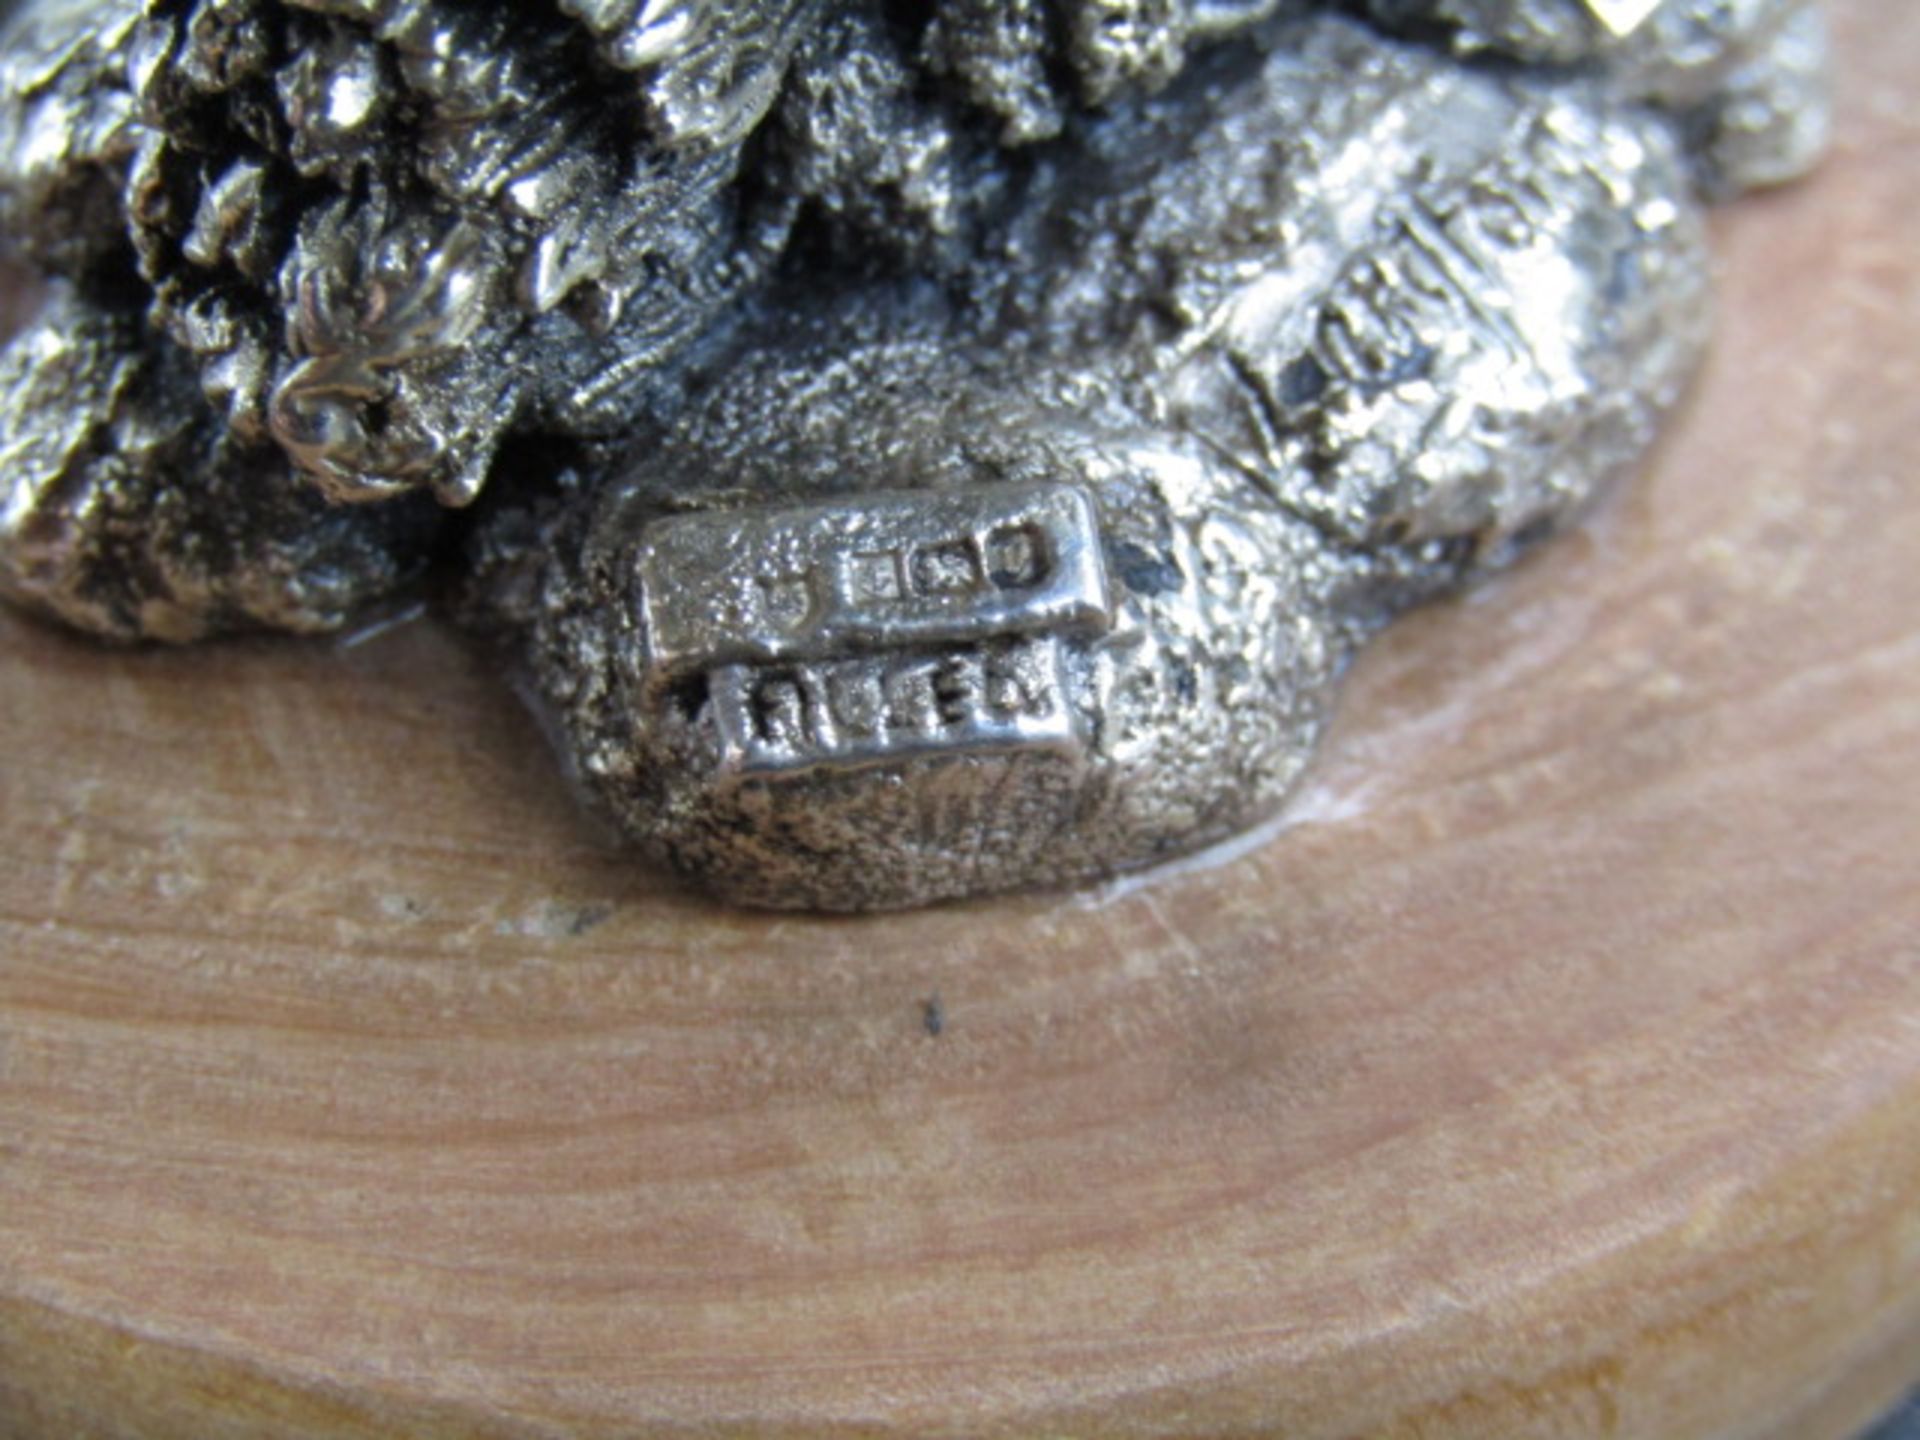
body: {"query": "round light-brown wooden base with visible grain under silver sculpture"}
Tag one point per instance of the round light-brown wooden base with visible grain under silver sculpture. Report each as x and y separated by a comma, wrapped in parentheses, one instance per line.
(1554, 1070)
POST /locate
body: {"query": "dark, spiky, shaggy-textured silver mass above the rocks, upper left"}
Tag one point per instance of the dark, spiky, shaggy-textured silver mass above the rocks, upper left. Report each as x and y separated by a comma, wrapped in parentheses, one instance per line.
(391, 231)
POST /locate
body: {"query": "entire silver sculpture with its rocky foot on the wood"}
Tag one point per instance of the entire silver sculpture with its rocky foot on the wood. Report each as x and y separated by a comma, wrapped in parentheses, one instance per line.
(924, 450)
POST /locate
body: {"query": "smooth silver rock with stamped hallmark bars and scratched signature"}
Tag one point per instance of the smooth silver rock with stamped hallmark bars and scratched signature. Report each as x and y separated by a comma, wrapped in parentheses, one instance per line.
(1322, 331)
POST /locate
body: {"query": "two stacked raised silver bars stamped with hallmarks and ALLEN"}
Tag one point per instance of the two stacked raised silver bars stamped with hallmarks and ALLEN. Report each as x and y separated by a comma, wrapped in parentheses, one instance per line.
(863, 633)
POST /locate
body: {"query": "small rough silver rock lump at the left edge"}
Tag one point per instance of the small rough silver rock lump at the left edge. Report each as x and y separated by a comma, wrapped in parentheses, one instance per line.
(128, 512)
